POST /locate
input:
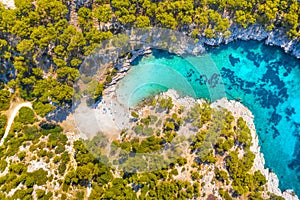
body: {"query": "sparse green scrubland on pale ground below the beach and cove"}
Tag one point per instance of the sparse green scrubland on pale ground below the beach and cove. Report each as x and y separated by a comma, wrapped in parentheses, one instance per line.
(41, 161)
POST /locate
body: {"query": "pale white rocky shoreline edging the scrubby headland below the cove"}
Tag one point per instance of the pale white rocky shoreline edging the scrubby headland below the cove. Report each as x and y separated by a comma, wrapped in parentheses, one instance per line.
(239, 110)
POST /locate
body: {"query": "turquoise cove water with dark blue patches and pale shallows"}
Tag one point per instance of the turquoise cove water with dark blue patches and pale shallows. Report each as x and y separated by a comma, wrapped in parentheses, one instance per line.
(263, 78)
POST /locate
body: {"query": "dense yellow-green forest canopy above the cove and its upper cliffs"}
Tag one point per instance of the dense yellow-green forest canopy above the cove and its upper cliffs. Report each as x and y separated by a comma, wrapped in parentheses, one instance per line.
(43, 42)
